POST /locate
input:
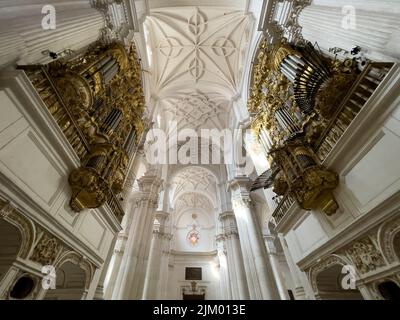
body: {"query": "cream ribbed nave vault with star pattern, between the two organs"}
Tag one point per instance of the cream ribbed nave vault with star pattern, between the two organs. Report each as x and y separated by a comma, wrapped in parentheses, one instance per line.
(197, 57)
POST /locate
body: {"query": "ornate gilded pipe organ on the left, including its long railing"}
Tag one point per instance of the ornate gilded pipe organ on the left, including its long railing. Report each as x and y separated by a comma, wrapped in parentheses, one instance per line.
(97, 99)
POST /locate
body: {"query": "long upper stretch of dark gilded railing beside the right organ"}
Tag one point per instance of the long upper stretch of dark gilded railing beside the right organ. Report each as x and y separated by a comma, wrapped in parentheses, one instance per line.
(365, 85)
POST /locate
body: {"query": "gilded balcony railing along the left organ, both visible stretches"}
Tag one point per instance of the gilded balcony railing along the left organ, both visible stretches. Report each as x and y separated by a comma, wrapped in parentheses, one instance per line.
(47, 90)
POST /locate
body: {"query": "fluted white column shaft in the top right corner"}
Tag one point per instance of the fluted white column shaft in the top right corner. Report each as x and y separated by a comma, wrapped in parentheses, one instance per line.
(376, 26)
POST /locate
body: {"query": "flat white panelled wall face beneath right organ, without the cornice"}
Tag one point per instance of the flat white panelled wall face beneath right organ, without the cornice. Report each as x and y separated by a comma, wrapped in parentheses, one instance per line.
(373, 177)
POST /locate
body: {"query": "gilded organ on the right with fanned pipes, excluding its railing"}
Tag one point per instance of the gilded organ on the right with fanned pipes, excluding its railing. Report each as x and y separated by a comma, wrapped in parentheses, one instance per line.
(295, 93)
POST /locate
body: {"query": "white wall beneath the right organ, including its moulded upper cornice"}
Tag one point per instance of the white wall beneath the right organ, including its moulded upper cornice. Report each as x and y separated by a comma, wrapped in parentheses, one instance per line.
(366, 160)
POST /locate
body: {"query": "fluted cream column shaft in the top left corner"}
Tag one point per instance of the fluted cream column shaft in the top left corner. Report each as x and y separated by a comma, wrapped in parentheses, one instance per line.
(23, 39)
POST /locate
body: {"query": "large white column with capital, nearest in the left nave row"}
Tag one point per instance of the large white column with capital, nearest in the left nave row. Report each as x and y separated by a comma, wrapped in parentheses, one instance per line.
(131, 277)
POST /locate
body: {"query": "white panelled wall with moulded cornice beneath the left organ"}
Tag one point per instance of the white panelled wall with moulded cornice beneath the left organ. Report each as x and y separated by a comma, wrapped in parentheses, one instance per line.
(34, 166)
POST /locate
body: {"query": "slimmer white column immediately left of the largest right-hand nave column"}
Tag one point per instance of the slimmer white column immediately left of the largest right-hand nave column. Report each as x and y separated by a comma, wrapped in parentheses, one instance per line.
(236, 270)
